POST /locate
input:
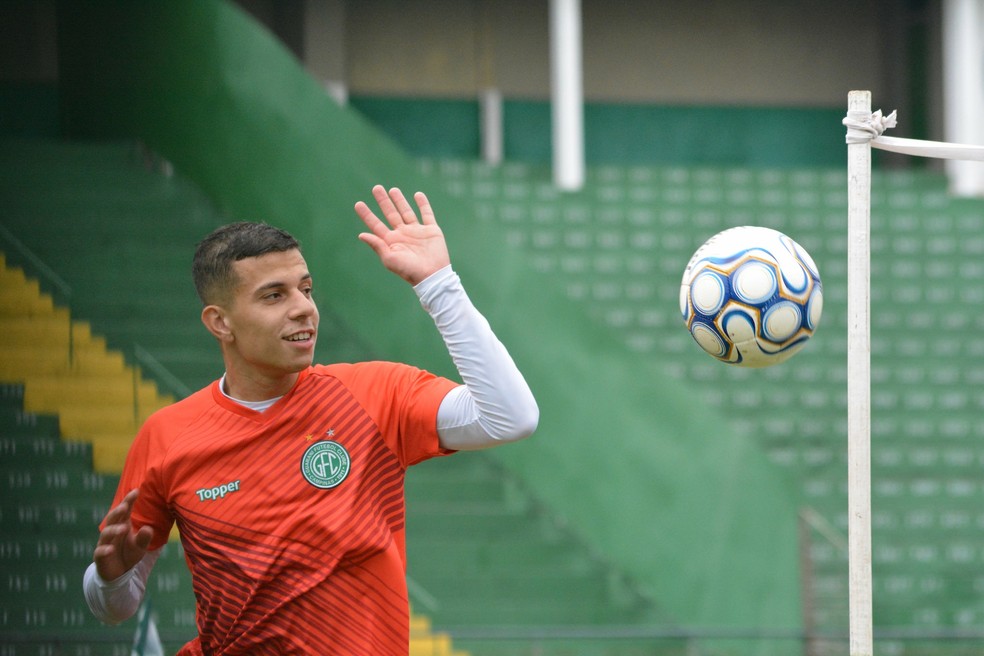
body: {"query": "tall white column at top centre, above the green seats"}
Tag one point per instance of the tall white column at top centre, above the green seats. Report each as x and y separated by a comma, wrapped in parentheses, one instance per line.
(567, 95)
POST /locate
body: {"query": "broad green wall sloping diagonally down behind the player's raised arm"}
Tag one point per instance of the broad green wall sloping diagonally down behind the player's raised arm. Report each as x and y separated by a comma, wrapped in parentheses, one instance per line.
(661, 485)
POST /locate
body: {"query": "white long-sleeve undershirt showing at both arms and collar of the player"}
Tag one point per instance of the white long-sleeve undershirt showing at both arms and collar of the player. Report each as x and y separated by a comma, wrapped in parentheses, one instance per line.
(493, 406)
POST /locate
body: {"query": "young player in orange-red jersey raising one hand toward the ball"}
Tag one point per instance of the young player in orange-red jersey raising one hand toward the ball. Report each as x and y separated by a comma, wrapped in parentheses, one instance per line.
(285, 478)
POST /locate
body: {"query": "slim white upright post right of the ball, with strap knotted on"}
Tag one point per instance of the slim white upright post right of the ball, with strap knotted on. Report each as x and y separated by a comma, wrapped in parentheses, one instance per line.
(859, 383)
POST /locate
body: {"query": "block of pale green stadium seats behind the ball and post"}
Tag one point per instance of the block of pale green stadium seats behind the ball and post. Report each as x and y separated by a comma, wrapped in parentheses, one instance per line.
(621, 245)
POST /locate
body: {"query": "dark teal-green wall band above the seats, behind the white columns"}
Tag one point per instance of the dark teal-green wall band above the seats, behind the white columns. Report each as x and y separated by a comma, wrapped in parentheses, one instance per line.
(621, 133)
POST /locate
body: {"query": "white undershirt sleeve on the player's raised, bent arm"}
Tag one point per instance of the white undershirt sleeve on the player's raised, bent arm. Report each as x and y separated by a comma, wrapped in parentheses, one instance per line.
(495, 404)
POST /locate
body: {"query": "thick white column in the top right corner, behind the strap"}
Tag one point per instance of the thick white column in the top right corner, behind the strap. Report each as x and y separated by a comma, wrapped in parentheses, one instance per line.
(963, 89)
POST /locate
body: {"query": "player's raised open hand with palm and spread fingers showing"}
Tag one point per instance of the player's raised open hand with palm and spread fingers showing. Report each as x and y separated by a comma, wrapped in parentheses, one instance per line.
(412, 249)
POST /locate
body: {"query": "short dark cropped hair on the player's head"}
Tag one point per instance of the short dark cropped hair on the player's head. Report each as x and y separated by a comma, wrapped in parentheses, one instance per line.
(212, 269)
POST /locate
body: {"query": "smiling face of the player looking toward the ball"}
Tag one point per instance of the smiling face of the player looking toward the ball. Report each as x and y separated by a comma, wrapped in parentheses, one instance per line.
(272, 318)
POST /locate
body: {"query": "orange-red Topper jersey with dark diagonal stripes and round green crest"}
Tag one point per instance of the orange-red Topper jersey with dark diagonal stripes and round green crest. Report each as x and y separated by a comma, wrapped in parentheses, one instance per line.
(292, 520)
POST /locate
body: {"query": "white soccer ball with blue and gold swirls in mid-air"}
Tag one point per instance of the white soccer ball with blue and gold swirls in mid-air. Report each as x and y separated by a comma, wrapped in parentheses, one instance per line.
(751, 296)
